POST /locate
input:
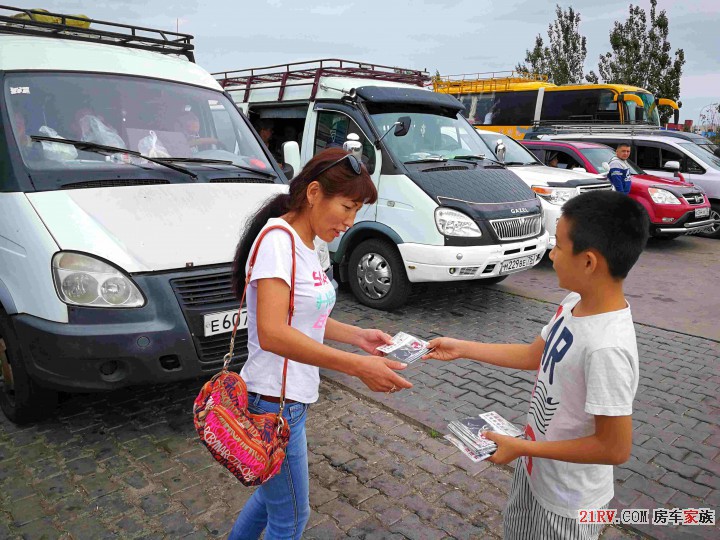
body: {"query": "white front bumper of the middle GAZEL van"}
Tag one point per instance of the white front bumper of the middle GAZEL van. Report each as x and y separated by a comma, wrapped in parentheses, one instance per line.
(424, 263)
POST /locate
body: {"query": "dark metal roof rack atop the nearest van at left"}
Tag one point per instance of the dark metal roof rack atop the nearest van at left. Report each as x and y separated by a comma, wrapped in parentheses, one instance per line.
(72, 27)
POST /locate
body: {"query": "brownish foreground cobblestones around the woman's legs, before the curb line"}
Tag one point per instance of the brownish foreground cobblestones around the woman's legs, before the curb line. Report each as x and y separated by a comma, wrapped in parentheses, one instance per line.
(128, 465)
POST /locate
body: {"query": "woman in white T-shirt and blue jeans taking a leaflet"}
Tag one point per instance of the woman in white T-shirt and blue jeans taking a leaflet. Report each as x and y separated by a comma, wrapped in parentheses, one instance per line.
(323, 201)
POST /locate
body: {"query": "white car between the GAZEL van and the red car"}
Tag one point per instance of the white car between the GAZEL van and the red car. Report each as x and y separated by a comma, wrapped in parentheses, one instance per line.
(554, 186)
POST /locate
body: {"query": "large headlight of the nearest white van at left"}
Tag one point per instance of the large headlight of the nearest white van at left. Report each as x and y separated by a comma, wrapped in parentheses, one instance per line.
(82, 280)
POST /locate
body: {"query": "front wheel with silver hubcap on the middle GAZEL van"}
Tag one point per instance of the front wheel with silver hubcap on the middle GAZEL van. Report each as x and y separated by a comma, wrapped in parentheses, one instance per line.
(377, 275)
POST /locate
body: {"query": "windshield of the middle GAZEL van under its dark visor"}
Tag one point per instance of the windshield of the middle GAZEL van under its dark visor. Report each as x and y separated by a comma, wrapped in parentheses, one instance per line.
(432, 136)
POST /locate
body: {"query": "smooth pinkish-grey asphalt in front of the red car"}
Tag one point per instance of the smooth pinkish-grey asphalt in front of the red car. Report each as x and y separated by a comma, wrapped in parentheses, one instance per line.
(673, 285)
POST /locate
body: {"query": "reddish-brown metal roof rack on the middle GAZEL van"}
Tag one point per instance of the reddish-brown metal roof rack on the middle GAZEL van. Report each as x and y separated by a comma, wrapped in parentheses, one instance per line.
(297, 73)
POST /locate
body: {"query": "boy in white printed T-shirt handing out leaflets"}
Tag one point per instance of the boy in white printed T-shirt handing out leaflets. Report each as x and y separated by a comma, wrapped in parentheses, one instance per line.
(580, 422)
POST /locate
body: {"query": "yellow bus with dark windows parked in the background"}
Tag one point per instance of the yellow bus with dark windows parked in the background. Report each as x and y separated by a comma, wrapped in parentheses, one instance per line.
(512, 102)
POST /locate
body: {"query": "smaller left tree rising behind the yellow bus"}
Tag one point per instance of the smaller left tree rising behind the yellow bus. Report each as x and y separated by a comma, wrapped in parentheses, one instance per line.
(563, 60)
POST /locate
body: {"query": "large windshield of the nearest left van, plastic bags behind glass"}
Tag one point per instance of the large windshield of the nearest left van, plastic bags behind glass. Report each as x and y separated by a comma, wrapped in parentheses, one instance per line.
(158, 119)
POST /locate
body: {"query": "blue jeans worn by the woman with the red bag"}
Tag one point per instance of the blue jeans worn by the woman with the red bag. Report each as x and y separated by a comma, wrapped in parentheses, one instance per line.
(281, 505)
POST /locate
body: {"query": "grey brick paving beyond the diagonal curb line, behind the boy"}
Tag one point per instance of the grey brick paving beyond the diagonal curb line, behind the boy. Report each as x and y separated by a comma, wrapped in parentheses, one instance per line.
(675, 461)
